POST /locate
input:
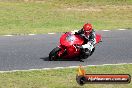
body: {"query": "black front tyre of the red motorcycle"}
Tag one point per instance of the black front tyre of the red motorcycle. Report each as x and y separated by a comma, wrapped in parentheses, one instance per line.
(53, 54)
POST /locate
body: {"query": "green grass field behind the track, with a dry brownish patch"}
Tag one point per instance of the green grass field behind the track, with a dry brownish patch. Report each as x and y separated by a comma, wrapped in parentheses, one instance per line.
(19, 17)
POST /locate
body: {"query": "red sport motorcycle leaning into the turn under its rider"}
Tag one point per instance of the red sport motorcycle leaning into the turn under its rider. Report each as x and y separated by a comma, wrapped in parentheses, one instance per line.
(69, 47)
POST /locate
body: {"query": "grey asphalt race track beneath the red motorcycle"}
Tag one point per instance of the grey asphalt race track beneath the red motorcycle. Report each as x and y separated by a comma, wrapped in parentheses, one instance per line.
(31, 52)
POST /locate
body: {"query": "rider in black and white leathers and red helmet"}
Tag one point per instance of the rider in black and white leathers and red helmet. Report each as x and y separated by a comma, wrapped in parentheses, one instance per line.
(88, 34)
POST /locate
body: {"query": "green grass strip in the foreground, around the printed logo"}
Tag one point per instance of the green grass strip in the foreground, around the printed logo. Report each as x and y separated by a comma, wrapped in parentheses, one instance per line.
(61, 78)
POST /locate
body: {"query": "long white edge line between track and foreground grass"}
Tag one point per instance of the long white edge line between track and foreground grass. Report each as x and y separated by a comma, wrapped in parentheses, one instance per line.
(61, 67)
